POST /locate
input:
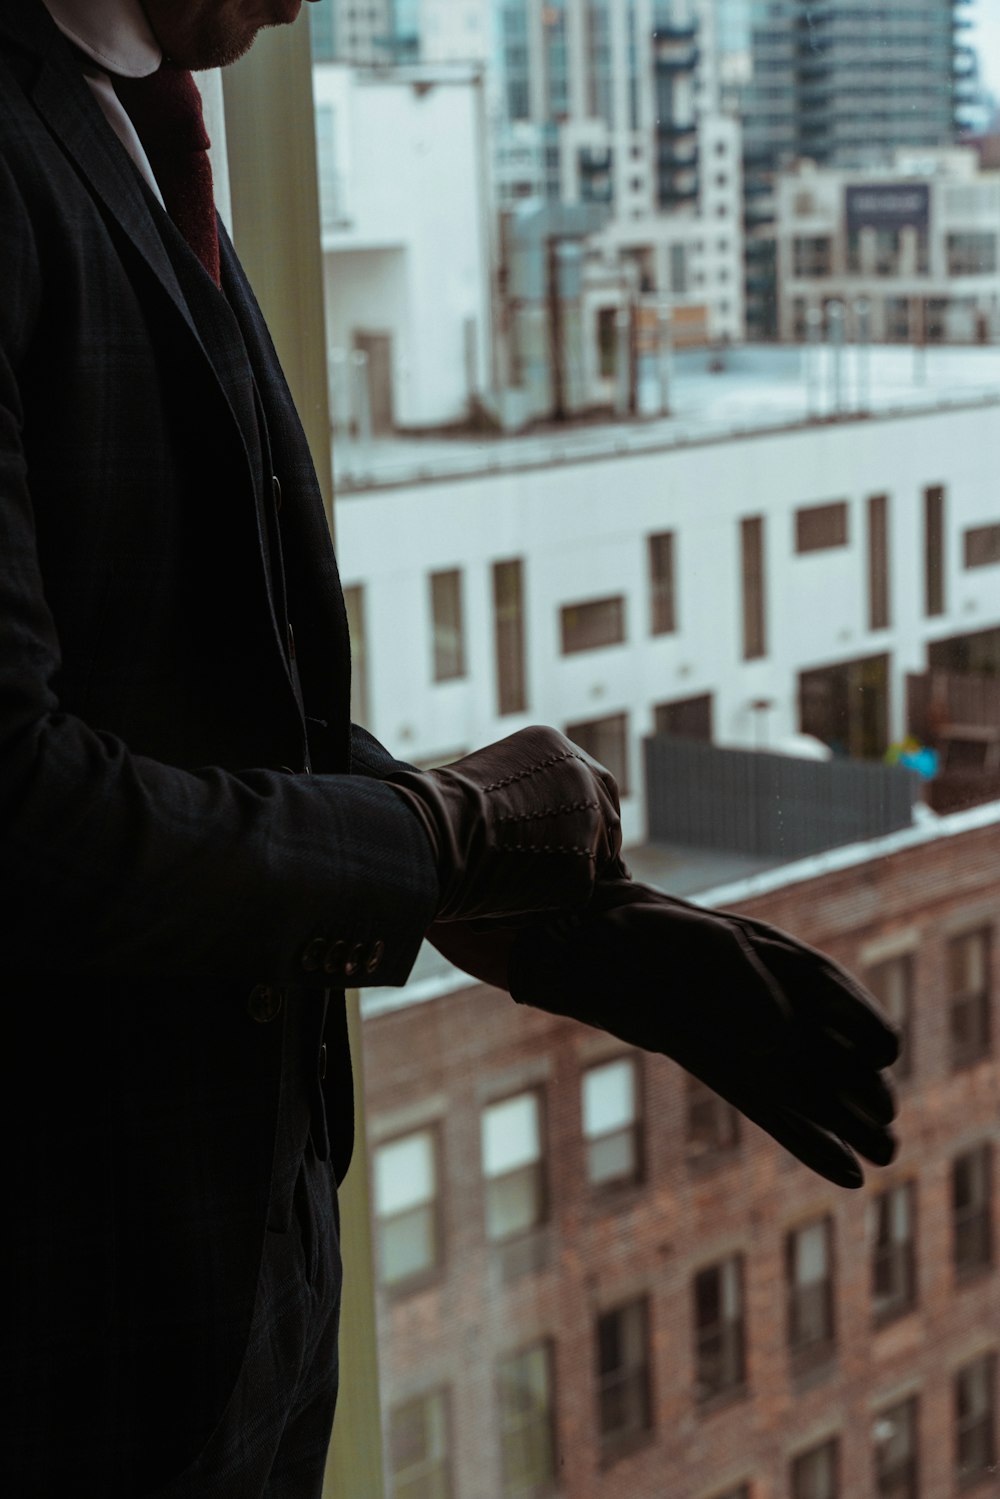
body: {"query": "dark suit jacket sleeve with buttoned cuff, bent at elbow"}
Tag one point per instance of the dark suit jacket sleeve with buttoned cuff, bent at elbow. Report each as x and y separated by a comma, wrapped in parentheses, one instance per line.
(118, 864)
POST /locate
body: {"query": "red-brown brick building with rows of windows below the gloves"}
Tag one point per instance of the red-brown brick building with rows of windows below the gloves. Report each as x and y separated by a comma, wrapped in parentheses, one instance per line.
(597, 1281)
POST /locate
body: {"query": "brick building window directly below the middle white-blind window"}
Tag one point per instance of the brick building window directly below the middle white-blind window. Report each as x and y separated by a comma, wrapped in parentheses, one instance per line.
(527, 1423)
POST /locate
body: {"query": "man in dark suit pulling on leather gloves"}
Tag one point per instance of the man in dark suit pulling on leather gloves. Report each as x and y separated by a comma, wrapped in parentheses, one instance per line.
(197, 849)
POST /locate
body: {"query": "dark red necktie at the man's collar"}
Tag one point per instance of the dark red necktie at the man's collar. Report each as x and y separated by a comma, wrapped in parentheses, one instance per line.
(166, 110)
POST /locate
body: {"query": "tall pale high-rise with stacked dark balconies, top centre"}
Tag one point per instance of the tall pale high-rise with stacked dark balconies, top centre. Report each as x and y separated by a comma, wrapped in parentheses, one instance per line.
(597, 103)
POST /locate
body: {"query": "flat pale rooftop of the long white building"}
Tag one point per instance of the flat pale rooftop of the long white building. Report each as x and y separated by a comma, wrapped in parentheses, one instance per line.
(758, 390)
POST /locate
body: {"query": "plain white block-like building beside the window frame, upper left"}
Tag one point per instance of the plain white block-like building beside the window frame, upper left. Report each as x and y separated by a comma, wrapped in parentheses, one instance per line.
(407, 245)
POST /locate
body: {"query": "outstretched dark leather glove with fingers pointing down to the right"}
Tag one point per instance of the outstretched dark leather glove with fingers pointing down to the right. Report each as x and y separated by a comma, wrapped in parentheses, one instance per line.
(776, 1028)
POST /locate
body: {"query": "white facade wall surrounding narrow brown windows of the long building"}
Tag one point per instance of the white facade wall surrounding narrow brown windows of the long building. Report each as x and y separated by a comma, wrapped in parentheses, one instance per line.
(581, 530)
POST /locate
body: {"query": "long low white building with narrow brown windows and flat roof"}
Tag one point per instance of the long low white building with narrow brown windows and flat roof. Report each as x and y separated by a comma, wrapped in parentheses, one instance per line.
(738, 572)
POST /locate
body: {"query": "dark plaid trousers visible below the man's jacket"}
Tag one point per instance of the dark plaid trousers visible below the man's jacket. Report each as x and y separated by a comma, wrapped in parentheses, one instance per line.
(274, 1435)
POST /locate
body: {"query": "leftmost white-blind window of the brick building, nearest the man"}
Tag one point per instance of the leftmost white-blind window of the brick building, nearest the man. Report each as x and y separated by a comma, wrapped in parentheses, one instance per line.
(407, 1207)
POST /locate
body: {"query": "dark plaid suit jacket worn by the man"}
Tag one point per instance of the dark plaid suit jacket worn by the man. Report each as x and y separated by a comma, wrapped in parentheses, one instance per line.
(158, 861)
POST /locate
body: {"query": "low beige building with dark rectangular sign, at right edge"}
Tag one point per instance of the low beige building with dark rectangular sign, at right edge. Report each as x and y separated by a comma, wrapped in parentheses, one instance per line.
(918, 242)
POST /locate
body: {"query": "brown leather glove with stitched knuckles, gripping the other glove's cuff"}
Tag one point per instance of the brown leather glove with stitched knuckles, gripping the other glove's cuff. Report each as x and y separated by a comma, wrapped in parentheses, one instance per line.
(525, 825)
